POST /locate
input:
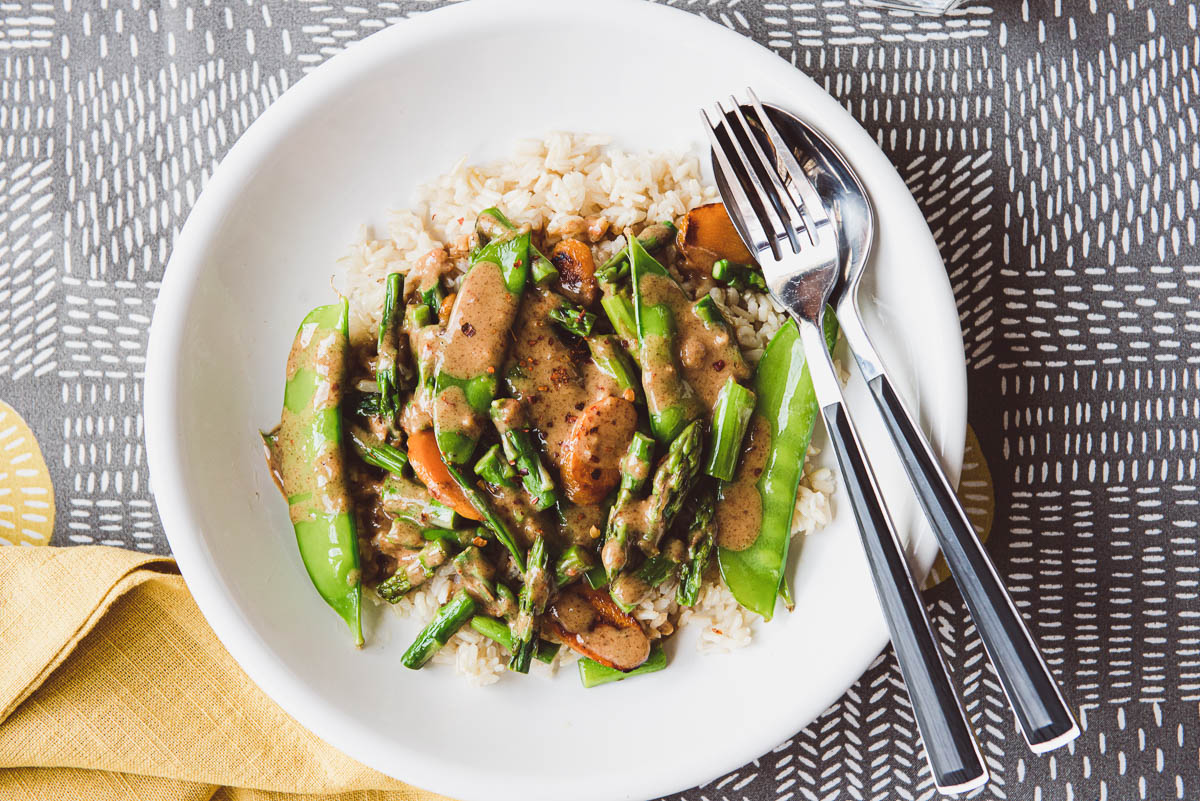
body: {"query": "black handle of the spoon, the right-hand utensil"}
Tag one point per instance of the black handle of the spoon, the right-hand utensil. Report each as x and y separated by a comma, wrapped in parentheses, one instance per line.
(1043, 715)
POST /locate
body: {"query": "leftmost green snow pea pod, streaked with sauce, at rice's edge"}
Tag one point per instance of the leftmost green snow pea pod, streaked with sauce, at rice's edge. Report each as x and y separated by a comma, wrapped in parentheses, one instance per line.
(308, 449)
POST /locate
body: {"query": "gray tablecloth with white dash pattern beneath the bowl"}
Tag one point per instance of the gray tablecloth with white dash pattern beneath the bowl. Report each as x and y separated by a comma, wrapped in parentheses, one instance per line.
(1055, 149)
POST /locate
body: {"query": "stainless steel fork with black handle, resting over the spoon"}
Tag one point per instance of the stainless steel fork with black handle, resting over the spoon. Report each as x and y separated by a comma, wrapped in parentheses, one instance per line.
(778, 213)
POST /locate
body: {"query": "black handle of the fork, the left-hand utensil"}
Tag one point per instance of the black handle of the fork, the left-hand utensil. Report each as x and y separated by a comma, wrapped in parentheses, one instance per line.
(950, 744)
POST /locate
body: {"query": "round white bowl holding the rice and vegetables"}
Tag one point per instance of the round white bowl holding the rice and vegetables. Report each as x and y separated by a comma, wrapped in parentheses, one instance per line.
(353, 140)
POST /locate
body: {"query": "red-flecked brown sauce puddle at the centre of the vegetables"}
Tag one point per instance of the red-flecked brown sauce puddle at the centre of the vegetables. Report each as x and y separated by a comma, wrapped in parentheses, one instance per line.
(555, 383)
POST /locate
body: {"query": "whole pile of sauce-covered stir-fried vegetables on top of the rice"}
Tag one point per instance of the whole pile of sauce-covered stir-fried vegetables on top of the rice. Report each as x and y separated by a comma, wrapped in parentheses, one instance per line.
(555, 439)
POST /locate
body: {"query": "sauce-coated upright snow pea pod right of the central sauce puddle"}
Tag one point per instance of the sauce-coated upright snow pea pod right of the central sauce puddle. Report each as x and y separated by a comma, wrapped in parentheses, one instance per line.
(671, 401)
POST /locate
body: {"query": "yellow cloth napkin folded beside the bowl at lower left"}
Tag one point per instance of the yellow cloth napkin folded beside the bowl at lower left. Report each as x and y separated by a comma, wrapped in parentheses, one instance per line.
(115, 689)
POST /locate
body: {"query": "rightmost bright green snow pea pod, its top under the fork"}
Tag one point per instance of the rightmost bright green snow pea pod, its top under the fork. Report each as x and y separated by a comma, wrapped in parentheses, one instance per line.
(789, 405)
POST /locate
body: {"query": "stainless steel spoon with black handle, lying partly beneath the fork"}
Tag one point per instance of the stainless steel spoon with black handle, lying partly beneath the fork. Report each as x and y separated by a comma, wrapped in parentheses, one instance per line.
(1042, 714)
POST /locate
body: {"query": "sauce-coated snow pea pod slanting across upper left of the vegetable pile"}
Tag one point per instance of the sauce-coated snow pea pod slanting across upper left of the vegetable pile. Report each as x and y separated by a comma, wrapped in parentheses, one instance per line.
(473, 336)
